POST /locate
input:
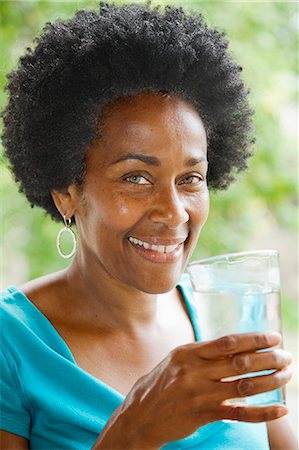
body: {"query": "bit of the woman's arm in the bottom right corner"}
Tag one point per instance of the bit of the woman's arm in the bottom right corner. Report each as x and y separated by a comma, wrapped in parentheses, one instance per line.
(281, 436)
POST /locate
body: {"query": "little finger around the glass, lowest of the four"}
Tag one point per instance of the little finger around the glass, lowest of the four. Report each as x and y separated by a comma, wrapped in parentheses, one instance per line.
(252, 413)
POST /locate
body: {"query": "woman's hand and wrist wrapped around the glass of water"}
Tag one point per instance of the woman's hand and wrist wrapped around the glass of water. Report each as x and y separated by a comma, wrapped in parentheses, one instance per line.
(185, 391)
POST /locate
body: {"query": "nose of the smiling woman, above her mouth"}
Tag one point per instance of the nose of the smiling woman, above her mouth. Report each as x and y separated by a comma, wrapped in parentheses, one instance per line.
(169, 209)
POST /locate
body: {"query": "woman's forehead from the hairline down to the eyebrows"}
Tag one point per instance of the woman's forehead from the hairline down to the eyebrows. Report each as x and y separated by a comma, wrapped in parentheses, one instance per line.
(162, 126)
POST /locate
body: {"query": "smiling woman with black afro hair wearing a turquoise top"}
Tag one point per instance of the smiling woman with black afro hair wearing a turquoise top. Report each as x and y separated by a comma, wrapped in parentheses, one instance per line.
(110, 125)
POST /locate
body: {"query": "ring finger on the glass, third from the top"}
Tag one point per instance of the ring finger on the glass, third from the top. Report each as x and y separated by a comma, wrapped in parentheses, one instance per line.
(255, 385)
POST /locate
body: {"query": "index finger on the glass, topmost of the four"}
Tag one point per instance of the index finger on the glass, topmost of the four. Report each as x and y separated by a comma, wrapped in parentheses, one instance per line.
(237, 343)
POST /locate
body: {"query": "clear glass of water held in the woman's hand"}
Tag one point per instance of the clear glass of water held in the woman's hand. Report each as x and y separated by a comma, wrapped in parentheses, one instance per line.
(239, 293)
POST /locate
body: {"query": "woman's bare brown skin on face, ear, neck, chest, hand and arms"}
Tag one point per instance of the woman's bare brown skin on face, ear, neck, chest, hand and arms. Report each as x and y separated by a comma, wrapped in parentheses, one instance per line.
(118, 299)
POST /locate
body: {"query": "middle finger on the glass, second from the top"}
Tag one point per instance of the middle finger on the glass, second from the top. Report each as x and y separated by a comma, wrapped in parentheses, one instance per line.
(249, 362)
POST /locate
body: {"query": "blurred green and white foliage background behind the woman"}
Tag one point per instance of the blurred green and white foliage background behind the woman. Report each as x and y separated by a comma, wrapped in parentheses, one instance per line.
(259, 211)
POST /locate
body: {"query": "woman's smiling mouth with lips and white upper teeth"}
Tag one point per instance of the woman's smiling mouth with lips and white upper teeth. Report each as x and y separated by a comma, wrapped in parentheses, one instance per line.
(158, 250)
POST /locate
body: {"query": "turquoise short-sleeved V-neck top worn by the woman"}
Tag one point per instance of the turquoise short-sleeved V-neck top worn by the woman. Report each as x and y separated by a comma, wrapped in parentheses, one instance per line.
(48, 399)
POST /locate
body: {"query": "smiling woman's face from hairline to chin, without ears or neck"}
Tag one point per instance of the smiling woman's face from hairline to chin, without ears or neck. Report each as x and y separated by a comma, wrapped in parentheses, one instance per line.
(145, 196)
